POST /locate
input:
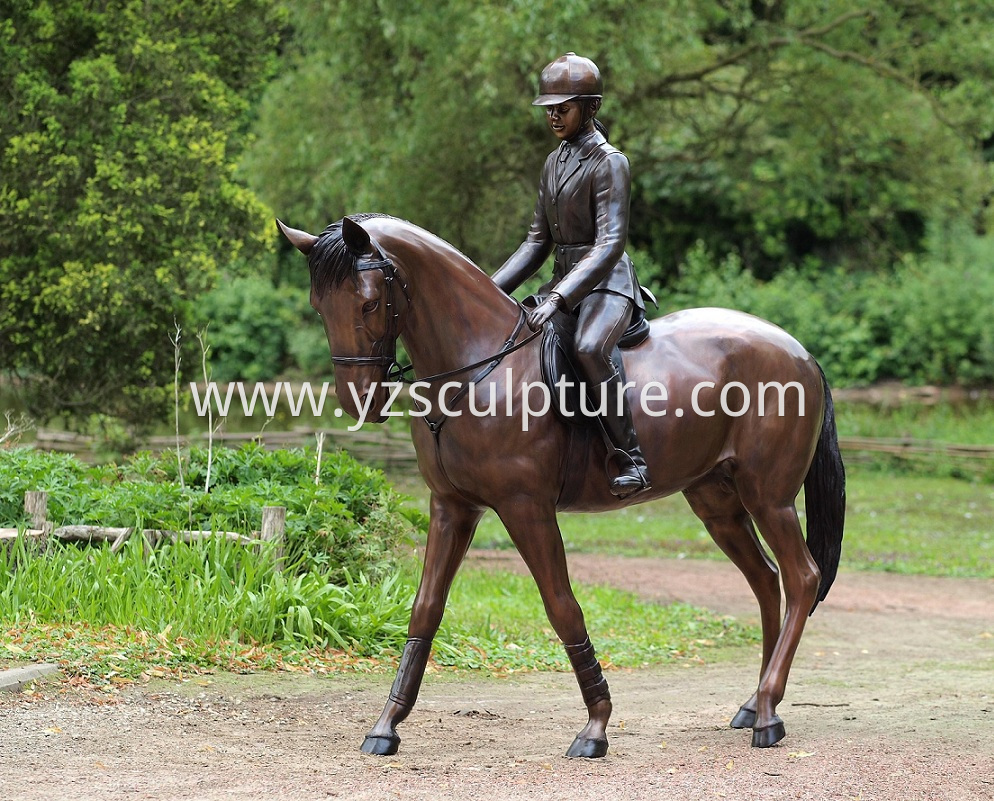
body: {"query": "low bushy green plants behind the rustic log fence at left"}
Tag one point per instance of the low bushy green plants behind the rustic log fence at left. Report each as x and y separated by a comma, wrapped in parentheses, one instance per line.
(349, 523)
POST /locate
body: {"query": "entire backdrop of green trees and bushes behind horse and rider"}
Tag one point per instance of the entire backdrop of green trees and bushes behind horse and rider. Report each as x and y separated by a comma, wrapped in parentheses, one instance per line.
(825, 164)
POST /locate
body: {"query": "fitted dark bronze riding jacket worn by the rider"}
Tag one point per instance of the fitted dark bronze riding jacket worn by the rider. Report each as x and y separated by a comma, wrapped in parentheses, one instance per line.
(581, 213)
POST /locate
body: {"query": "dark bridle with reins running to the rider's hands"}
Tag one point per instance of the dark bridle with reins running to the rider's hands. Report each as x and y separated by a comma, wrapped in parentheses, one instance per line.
(384, 350)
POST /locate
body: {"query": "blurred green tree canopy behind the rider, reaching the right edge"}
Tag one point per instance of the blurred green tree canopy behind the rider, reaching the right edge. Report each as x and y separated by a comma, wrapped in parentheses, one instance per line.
(781, 131)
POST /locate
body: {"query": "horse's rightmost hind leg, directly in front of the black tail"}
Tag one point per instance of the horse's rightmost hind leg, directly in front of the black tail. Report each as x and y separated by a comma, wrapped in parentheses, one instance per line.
(782, 532)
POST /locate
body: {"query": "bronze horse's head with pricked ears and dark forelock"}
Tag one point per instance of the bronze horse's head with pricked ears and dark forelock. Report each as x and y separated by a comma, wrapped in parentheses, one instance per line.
(362, 301)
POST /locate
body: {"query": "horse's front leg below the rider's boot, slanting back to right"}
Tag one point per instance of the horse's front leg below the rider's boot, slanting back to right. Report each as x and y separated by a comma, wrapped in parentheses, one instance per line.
(534, 530)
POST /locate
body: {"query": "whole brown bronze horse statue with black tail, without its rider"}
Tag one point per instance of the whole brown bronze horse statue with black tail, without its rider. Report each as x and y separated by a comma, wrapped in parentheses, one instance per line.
(375, 279)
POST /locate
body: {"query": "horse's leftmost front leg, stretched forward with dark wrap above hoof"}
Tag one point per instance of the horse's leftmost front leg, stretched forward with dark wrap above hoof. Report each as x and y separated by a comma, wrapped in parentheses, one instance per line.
(450, 532)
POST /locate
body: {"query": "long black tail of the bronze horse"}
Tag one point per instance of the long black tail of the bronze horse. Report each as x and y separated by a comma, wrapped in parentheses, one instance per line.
(825, 499)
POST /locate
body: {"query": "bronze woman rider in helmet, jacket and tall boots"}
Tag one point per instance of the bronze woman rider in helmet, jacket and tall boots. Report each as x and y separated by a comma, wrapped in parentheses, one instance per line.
(582, 214)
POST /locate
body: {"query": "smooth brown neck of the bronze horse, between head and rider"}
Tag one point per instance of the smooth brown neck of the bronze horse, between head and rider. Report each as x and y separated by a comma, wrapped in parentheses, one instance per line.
(457, 315)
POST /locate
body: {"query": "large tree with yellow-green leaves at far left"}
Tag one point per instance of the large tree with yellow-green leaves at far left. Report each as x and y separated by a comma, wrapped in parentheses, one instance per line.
(120, 123)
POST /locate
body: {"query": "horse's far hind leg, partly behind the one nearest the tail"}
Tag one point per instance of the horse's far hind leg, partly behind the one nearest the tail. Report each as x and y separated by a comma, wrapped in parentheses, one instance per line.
(717, 504)
